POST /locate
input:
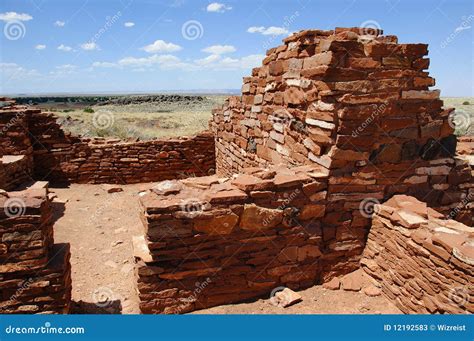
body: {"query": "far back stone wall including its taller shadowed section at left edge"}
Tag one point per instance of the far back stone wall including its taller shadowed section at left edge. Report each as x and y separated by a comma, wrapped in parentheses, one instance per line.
(55, 155)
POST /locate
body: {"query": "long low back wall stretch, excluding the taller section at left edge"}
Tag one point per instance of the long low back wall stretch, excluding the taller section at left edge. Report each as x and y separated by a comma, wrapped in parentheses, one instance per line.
(101, 161)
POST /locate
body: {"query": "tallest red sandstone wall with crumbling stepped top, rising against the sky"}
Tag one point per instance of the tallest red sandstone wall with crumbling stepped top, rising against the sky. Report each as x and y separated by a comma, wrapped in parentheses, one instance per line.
(359, 104)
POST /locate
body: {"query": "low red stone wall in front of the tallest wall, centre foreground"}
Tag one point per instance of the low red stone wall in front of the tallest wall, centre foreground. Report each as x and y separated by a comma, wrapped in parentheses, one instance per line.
(211, 241)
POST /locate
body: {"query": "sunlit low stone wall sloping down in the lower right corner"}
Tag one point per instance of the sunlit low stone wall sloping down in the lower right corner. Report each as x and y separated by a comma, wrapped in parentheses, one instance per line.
(424, 263)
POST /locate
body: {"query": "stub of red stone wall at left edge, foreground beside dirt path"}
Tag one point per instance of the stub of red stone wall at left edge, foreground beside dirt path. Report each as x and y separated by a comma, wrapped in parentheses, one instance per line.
(35, 273)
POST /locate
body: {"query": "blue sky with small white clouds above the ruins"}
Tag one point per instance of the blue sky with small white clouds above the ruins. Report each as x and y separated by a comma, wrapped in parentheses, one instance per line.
(53, 46)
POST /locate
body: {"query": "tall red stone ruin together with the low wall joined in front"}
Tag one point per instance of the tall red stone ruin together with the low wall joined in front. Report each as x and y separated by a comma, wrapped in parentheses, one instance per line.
(350, 105)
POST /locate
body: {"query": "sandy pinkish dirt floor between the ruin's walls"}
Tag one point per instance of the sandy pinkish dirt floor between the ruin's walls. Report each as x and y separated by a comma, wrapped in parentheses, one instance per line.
(100, 226)
